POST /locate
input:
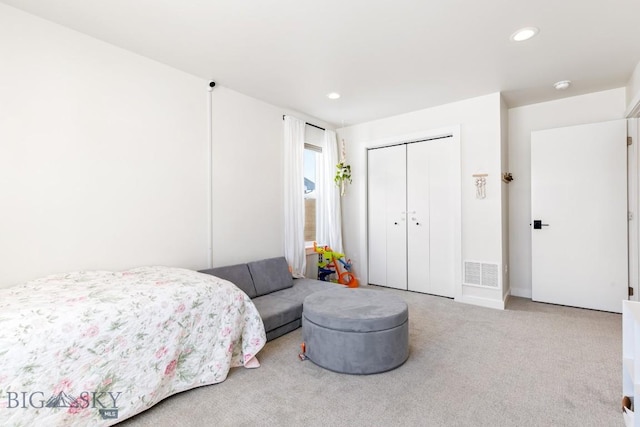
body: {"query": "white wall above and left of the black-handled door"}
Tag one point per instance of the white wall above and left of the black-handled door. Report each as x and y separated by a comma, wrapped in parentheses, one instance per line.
(591, 108)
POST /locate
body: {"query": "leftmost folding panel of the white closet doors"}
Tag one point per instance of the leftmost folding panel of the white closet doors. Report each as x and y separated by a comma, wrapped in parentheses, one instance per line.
(377, 213)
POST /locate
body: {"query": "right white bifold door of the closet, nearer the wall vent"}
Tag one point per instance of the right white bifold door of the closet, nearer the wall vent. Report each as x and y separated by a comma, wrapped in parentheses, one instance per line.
(431, 217)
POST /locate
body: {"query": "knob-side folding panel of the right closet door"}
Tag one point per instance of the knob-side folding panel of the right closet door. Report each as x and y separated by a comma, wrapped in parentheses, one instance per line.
(418, 214)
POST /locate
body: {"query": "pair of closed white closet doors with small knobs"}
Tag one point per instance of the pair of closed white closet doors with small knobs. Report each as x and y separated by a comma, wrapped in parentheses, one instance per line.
(413, 215)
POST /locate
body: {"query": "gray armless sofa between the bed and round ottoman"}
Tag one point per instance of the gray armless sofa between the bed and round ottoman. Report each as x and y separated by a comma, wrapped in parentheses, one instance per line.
(277, 296)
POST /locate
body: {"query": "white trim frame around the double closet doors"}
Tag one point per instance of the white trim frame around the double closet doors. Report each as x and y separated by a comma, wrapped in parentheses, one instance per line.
(454, 132)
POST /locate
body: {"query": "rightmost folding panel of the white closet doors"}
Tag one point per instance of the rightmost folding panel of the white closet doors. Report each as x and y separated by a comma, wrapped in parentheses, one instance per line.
(442, 215)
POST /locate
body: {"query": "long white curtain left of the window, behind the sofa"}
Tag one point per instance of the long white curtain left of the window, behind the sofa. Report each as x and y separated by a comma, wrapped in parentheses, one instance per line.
(294, 195)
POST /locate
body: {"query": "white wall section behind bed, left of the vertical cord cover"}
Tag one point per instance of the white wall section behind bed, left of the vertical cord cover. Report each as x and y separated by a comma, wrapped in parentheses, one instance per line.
(102, 155)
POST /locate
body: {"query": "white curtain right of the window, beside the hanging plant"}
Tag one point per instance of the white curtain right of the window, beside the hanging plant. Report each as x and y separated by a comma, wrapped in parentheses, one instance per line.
(329, 222)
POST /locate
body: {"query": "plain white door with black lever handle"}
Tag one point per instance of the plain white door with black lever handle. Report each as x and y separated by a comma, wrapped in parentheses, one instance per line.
(579, 215)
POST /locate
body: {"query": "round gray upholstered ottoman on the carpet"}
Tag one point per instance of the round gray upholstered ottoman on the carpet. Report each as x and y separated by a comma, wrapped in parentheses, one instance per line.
(355, 330)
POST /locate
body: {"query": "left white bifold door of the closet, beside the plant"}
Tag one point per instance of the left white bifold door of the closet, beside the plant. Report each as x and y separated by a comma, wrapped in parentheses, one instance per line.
(386, 216)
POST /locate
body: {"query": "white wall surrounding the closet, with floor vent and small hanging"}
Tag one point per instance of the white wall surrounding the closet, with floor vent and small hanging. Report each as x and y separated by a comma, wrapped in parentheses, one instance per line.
(480, 140)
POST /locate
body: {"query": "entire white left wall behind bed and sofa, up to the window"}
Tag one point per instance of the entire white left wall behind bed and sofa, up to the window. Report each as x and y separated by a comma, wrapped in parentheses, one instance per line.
(103, 160)
